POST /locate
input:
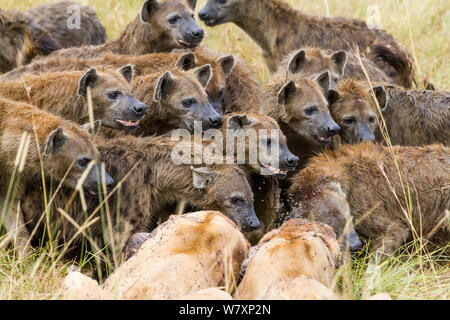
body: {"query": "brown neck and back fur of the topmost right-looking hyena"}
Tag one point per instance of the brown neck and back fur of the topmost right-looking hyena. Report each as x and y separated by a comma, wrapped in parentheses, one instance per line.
(139, 37)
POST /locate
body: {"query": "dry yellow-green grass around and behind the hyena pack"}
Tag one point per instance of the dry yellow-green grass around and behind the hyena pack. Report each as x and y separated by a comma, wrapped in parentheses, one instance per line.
(423, 26)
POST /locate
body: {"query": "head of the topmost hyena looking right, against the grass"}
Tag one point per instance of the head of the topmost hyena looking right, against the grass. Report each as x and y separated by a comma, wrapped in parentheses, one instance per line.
(175, 22)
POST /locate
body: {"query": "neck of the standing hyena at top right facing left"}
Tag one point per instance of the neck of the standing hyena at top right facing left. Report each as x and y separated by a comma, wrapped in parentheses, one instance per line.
(259, 19)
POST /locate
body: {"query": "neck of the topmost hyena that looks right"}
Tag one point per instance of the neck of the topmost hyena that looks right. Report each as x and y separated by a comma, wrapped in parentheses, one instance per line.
(137, 39)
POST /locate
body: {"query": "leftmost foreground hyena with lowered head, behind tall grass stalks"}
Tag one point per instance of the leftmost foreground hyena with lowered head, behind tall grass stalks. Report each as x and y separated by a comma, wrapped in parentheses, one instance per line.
(59, 153)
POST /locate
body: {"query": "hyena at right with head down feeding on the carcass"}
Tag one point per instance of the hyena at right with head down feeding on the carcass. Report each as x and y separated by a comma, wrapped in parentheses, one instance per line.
(354, 180)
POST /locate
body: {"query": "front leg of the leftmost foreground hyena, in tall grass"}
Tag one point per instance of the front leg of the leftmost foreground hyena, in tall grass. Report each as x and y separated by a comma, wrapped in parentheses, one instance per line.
(15, 226)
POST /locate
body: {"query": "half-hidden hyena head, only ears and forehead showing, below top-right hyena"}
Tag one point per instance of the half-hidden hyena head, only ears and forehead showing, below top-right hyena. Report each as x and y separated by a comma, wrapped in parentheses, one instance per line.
(311, 62)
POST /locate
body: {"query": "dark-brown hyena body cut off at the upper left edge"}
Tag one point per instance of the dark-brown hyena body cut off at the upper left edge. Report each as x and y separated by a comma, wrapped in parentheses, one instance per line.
(22, 40)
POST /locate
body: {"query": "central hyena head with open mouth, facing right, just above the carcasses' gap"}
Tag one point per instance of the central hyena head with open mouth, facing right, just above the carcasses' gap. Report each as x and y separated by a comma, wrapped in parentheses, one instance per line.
(257, 130)
